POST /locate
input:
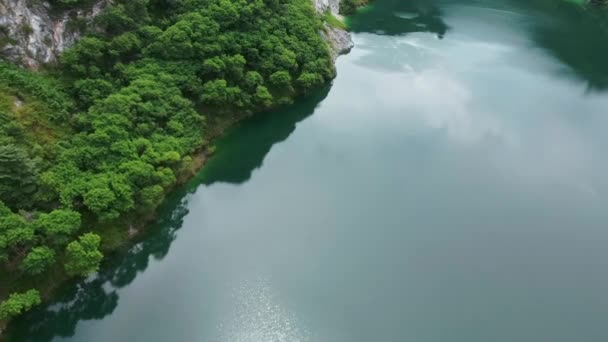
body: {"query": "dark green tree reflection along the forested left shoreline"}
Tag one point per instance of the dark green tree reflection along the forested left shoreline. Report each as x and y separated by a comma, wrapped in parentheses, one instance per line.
(240, 152)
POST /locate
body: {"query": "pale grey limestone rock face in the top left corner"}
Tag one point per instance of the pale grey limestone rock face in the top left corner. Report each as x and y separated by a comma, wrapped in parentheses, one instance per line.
(31, 33)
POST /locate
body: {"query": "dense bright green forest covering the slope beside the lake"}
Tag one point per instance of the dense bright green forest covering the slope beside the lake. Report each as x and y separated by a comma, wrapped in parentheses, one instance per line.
(90, 146)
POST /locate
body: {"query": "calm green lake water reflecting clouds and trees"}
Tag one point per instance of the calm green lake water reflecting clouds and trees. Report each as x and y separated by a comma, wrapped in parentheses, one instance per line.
(451, 185)
